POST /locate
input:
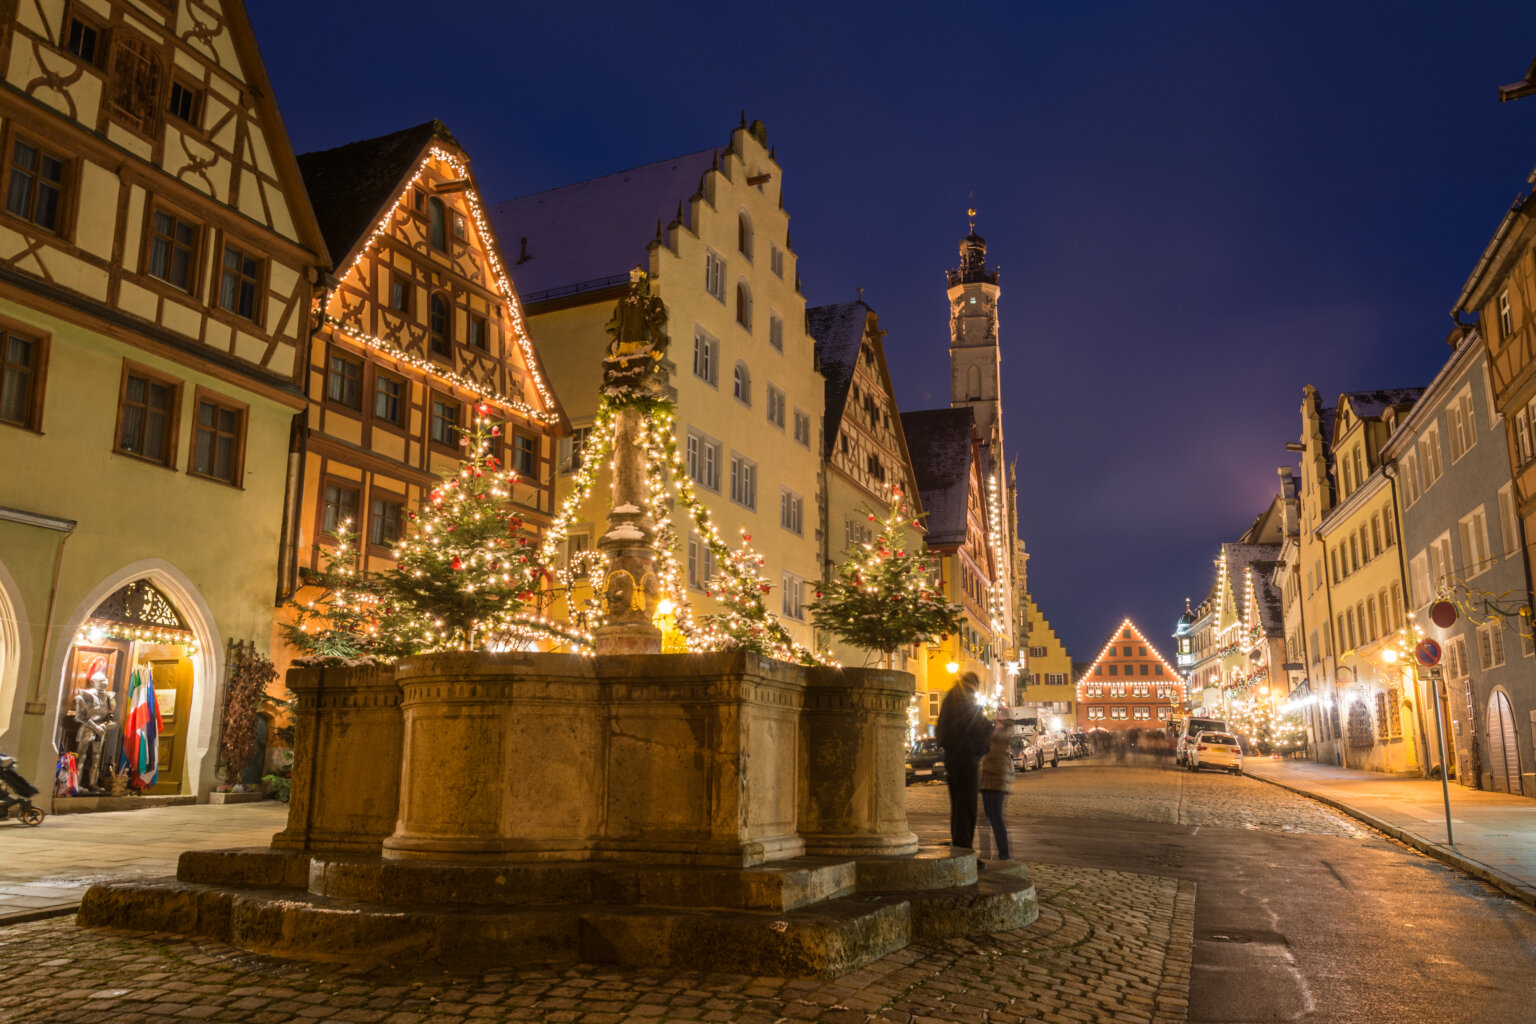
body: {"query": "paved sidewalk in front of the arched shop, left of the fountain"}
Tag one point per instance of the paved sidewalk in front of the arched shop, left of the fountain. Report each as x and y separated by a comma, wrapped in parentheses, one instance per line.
(45, 871)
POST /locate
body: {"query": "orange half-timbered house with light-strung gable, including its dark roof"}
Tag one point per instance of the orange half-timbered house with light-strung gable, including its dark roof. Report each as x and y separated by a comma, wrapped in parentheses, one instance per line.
(419, 326)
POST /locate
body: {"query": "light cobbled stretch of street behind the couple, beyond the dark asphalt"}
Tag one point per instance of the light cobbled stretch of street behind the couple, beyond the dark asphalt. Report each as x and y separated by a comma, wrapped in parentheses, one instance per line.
(1145, 793)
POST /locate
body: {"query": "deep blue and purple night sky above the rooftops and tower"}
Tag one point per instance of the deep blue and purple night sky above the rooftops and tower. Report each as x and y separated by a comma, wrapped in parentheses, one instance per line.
(1197, 211)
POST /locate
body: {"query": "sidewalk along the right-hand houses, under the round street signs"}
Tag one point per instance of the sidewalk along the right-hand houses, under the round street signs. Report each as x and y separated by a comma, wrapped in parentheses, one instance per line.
(1495, 833)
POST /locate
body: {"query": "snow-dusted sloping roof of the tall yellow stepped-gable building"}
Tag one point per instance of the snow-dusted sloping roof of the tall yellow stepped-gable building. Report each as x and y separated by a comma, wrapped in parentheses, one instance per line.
(591, 234)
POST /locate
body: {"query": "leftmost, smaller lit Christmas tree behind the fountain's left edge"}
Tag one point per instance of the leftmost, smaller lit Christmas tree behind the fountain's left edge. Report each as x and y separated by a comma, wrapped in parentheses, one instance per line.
(339, 623)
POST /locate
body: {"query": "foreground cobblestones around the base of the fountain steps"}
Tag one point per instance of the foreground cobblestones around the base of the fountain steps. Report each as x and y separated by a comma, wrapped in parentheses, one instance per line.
(1108, 946)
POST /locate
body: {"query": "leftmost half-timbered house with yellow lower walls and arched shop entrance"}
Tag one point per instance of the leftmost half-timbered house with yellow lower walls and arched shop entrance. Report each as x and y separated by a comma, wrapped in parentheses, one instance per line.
(157, 259)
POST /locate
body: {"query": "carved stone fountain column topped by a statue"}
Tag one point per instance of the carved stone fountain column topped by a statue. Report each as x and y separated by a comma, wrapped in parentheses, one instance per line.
(632, 380)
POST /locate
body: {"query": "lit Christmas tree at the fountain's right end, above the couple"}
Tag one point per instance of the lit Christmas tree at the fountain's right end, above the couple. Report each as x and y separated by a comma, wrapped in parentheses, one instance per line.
(884, 598)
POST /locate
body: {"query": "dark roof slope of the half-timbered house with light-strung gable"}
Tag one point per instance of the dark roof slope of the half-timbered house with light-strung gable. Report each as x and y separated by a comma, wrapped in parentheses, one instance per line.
(349, 185)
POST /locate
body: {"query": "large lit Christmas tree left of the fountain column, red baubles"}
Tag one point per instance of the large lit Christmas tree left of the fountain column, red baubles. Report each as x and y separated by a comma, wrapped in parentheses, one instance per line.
(468, 573)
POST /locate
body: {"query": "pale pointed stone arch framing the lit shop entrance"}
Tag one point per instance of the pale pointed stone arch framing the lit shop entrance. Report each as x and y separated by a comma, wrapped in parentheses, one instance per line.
(197, 722)
